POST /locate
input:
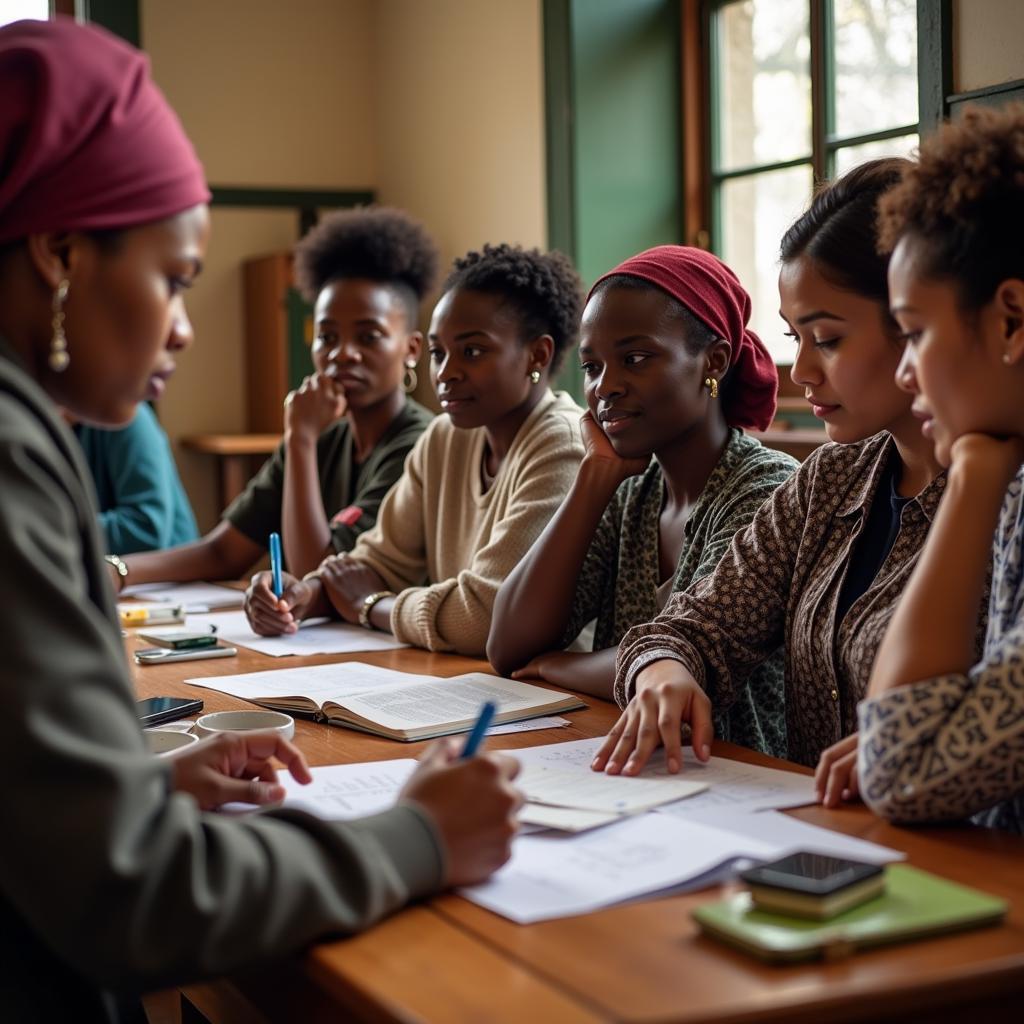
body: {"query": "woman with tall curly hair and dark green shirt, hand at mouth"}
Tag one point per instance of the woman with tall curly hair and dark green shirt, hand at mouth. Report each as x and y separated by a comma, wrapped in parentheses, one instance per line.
(351, 425)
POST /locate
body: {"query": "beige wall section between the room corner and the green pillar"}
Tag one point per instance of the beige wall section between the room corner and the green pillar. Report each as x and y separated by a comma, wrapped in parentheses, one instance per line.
(460, 118)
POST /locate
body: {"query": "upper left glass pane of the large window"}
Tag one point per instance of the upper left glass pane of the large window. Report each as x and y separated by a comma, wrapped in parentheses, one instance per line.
(763, 72)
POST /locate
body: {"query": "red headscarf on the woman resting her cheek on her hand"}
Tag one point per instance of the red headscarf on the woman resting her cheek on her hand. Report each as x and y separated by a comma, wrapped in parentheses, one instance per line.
(713, 293)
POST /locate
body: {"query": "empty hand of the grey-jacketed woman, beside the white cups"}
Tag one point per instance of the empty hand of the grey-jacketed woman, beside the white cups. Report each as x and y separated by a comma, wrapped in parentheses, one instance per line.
(236, 767)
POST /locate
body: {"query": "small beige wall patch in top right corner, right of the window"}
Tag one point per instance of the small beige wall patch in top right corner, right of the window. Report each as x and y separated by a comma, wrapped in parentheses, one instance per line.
(989, 44)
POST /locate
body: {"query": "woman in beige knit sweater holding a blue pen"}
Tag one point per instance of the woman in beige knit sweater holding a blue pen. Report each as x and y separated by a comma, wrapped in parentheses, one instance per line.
(484, 480)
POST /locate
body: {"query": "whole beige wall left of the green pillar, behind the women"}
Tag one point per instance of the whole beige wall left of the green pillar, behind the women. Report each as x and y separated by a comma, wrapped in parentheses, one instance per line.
(435, 105)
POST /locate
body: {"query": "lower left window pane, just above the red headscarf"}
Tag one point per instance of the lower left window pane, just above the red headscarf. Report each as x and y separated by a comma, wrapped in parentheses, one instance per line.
(755, 214)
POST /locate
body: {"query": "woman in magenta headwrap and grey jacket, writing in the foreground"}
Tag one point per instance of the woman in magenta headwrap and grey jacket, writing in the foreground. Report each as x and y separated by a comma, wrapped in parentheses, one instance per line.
(113, 877)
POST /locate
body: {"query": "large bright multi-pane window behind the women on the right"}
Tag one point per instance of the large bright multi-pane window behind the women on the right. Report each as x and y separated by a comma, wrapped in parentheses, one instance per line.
(801, 91)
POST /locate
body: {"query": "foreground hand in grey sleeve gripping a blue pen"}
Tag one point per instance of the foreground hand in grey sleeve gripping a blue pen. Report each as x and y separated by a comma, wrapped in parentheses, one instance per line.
(474, 804)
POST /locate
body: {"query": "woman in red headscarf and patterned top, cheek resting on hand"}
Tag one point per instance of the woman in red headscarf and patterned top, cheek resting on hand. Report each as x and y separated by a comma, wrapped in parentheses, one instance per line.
(671, 371)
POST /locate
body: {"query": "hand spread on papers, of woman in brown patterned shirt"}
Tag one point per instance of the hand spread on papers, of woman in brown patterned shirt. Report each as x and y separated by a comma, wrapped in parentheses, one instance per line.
(667, 697)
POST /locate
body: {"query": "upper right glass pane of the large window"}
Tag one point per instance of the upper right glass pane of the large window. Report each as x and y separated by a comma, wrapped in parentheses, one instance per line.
(876, 65)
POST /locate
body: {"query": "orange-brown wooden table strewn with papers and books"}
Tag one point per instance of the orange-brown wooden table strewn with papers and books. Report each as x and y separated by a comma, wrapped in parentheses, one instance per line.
(452, 961)
